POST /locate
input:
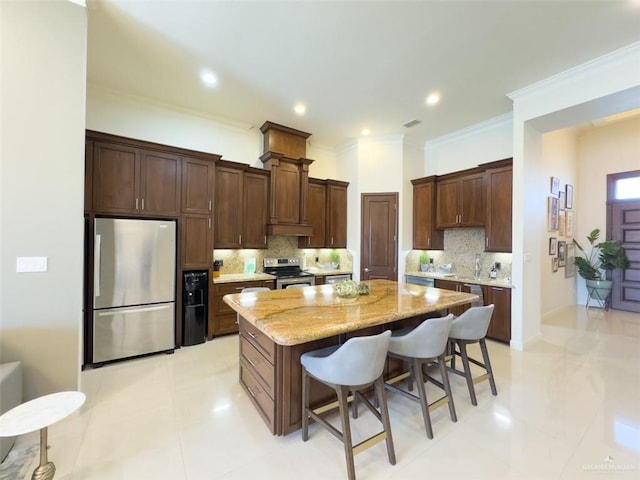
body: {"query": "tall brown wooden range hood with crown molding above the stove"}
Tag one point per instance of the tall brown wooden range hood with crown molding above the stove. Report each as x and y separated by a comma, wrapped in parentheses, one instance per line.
(284, 154)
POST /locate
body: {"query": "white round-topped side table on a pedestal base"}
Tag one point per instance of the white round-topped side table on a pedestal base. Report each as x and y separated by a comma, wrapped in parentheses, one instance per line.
(38, 414)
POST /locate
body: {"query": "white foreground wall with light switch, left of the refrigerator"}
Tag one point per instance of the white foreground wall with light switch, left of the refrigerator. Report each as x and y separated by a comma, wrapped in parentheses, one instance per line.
(41, 195)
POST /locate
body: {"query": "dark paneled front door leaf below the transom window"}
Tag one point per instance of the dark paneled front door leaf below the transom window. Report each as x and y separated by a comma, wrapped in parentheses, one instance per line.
(625, 227)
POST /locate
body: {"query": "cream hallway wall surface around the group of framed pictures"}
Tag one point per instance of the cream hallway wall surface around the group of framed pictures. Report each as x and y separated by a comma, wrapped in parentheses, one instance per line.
(559, 159)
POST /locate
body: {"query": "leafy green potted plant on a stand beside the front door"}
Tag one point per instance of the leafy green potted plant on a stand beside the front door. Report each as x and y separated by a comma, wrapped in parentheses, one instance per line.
(594, 266)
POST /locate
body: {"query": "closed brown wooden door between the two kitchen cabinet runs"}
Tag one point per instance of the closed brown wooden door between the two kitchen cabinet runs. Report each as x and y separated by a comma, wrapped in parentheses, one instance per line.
(379, 244)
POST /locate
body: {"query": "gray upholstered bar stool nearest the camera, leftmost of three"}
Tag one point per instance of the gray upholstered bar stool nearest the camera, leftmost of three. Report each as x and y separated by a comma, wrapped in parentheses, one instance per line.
(350, 367)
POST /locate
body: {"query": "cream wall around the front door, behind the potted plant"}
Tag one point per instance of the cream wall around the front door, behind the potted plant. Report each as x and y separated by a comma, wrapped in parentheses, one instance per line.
(611, 149)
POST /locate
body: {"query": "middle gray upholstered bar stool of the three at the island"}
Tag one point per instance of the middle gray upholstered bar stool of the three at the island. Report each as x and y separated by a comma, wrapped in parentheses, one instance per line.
(424, 345)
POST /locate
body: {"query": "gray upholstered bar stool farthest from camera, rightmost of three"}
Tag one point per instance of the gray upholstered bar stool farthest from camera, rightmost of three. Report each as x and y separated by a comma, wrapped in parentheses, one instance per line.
(471, 327)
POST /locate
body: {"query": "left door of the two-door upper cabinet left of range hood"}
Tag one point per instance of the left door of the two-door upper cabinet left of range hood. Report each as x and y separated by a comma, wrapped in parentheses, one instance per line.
(228, 209)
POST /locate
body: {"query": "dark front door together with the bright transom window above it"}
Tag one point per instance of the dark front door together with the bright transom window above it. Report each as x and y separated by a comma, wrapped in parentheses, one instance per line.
(624, 226)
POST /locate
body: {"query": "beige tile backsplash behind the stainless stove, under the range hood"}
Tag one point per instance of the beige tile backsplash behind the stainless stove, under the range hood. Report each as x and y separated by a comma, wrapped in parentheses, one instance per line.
(279, 246)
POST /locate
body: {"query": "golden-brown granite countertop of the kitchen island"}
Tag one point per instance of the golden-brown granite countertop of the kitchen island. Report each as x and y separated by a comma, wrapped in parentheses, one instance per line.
(299, 315)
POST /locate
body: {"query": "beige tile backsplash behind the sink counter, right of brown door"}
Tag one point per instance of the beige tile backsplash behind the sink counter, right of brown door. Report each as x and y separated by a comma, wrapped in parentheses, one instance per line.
(460, 248)
